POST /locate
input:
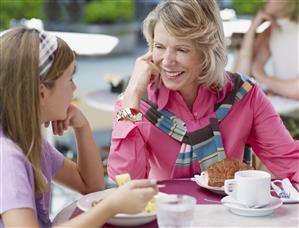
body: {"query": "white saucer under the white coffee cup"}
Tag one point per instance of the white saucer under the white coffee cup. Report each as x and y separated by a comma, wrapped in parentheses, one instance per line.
(244, 211)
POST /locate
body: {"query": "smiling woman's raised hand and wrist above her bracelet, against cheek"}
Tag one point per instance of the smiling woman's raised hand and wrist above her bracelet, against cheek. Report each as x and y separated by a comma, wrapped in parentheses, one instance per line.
(145, 72)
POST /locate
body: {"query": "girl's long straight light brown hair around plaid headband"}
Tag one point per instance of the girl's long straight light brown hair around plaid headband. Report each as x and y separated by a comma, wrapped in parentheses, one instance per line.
(20, 92)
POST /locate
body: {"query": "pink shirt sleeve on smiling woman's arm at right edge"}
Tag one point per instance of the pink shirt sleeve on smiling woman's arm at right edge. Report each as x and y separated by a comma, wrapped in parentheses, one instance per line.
(271, 141)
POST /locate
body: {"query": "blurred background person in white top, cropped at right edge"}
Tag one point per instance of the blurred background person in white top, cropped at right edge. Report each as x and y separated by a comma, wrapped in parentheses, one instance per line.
(280, 42)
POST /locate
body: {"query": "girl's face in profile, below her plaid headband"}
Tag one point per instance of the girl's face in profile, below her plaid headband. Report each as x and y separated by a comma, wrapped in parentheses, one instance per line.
(56, 101)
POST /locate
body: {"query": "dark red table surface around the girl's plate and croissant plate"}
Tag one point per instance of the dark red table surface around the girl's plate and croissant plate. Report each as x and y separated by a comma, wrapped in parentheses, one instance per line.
(182, 186)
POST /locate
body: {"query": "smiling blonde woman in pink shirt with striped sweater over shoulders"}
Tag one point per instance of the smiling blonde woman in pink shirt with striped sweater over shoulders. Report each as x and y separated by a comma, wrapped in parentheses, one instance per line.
(181, 111)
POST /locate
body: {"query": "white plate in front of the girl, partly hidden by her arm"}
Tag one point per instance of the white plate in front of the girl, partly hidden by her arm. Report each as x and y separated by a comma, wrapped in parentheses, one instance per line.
(84, 204)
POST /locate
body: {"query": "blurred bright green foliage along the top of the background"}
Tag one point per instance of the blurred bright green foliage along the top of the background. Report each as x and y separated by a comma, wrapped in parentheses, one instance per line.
(98, 11)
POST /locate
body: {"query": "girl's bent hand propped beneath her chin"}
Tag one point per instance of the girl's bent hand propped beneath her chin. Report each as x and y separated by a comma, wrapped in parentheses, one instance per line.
(74, 119)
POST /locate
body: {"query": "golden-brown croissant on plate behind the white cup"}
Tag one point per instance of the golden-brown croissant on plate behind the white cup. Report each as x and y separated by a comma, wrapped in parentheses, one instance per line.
(223, 170)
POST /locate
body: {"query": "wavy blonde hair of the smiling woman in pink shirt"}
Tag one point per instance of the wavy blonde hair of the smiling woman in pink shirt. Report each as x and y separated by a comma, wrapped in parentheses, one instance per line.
(198, 21)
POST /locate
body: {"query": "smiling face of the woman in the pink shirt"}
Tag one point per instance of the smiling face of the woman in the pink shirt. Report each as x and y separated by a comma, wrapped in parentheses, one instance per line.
(178, 60)
